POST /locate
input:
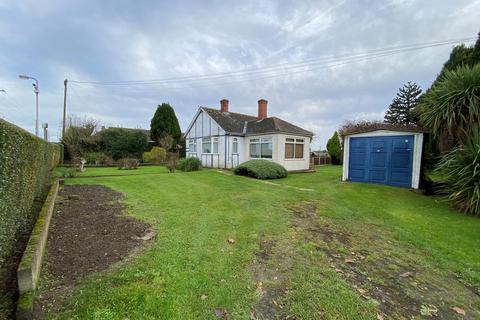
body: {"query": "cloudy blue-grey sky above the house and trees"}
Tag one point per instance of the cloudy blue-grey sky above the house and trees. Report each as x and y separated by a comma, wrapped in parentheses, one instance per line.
(105, 41)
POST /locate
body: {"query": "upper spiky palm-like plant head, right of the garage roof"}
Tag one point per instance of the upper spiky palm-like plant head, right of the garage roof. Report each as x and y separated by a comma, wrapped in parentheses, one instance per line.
(452, 106)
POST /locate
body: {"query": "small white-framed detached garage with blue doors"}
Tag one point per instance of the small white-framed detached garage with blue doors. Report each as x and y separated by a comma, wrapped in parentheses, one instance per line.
(383, 157)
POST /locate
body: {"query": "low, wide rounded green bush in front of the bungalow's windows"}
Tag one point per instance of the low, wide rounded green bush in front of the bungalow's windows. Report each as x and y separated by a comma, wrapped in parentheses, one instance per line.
(261, 169)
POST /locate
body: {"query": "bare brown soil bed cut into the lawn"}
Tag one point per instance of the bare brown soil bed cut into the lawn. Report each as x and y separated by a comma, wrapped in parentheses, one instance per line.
(89, 233)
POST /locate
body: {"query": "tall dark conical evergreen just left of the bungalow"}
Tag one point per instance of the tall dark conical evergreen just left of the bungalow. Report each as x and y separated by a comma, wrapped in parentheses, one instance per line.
(165, 123)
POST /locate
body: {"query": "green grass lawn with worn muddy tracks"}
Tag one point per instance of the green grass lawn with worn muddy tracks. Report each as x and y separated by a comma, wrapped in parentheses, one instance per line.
(306, 247)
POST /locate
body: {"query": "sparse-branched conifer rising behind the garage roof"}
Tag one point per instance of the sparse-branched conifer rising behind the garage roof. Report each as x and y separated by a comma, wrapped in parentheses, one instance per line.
(400, 110)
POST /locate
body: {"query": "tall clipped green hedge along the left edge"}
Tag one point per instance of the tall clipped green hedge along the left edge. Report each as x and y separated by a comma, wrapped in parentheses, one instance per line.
(26, 163)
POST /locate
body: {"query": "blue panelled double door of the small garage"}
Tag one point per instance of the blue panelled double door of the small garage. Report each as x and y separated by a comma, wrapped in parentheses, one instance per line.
(386, 160)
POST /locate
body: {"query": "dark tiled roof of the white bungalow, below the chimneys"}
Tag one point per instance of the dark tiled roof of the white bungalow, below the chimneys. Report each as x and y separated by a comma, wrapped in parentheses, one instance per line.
(239, 123)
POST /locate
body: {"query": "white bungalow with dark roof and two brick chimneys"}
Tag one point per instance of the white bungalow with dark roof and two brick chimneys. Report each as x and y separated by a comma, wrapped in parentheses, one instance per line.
(224, 139)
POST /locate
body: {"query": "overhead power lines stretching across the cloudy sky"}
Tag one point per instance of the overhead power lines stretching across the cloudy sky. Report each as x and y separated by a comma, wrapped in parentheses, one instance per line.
(282, 67)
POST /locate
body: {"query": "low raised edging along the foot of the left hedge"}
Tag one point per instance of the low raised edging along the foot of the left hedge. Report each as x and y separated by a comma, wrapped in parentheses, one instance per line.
(28, 271)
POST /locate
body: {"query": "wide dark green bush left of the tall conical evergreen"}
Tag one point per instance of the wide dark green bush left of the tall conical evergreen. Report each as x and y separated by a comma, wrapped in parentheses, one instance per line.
(123, 143)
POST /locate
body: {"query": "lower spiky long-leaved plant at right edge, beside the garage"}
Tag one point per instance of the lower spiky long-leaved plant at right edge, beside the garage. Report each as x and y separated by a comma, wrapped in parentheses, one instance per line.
(461, 171)
